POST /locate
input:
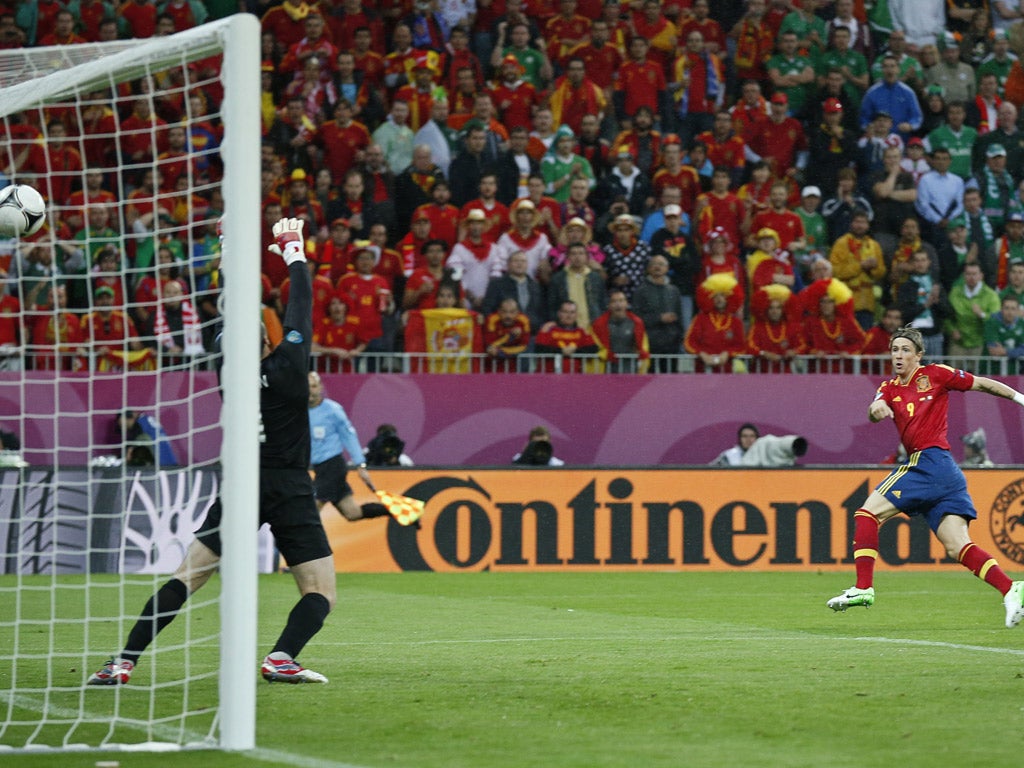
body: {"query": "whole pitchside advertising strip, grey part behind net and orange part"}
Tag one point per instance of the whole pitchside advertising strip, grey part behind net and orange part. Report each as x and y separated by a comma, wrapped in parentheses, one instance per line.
(623, 520)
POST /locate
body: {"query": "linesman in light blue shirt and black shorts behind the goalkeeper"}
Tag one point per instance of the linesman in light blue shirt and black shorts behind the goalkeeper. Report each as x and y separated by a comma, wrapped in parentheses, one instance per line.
(332, 433)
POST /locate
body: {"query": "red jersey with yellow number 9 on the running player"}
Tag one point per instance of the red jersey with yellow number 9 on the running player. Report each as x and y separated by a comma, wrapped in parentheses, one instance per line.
(921, 406)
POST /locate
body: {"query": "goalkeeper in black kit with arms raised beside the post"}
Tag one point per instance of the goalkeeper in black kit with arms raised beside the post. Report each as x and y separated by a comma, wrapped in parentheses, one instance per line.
(287, 501)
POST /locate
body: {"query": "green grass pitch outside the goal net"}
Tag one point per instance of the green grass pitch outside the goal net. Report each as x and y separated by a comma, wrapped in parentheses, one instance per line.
(638, 670)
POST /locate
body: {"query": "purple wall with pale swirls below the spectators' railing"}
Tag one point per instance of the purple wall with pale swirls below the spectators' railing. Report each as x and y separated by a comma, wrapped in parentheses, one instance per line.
(483, 420)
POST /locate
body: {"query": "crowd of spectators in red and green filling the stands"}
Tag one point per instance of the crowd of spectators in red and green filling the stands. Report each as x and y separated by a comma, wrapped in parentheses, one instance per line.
(740, 182)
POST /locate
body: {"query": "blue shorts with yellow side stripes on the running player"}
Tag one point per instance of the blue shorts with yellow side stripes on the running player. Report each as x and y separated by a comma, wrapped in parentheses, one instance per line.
(931, 485)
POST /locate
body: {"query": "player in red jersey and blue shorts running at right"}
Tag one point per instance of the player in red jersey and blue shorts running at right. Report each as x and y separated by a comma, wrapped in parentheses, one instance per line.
(931, 484)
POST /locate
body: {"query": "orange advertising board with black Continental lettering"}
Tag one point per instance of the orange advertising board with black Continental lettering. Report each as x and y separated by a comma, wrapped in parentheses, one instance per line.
(657, 520)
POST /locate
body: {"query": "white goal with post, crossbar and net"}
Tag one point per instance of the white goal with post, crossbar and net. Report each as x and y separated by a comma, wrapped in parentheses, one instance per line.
(113, 432)
